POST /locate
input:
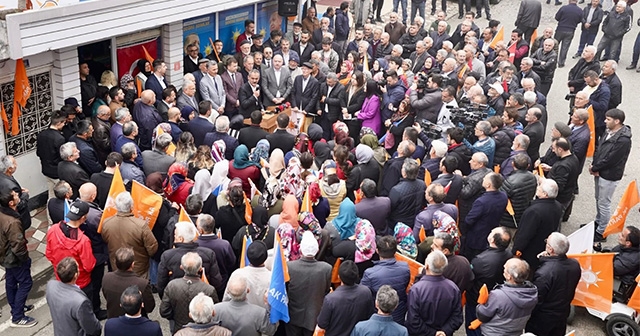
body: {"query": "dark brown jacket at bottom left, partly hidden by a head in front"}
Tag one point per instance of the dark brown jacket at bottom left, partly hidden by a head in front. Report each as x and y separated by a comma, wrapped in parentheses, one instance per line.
(114, 284)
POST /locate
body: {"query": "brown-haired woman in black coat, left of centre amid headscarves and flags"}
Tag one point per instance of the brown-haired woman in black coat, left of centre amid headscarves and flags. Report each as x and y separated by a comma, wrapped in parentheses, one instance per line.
(230, 218)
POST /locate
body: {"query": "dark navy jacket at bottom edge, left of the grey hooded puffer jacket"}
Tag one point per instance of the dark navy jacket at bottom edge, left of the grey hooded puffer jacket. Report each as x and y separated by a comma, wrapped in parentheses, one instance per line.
(433, 304)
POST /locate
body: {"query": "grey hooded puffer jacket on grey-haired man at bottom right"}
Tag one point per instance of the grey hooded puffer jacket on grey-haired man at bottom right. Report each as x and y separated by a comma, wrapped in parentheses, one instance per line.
(508, 309)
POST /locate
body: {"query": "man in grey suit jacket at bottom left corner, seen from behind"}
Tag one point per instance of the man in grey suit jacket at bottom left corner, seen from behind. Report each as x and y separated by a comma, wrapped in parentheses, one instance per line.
(65, 297)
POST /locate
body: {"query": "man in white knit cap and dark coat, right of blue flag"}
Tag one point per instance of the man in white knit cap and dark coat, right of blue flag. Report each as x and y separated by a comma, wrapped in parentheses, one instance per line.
(310, 282)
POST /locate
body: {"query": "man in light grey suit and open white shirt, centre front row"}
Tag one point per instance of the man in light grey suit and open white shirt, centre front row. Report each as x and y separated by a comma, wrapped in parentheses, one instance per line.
(276, 83)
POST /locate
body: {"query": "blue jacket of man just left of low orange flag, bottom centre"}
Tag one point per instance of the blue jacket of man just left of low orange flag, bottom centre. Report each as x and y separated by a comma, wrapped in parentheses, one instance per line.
(393, 273)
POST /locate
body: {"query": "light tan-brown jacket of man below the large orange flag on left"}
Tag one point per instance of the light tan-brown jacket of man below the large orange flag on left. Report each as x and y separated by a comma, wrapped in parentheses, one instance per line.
(125, 230)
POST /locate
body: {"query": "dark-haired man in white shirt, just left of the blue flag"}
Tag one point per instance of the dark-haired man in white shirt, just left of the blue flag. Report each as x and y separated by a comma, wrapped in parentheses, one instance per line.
(258, 277)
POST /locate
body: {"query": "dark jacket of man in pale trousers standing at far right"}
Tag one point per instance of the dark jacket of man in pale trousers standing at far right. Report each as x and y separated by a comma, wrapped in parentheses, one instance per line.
(612, 154)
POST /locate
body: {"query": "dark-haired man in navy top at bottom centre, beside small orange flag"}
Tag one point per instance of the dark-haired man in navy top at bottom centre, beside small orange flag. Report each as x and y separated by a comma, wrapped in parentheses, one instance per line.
(347, 305)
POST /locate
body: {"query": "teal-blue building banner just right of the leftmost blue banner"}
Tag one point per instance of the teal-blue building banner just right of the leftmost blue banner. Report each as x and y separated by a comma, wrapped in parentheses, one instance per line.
(231, 24)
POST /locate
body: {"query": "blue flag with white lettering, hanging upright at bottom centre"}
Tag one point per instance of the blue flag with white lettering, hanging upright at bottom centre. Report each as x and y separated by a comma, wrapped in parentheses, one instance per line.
(278, 299)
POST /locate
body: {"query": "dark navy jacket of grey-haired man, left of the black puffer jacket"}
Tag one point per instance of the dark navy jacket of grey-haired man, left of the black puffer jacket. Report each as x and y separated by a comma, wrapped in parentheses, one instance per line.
(485, 215)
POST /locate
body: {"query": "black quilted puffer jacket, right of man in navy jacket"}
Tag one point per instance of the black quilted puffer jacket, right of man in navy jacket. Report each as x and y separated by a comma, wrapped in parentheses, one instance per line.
(520, 187)
